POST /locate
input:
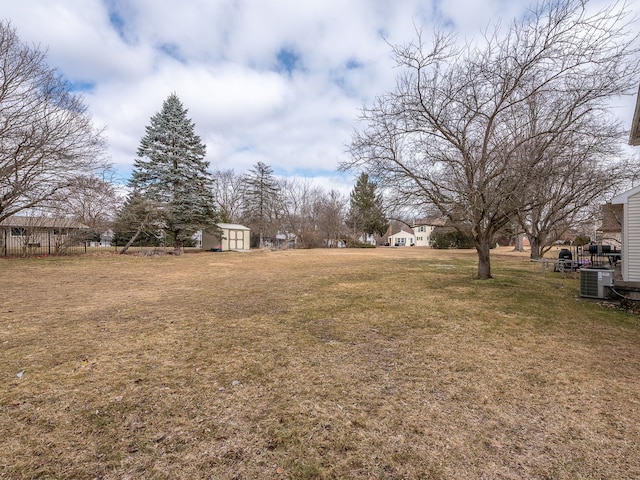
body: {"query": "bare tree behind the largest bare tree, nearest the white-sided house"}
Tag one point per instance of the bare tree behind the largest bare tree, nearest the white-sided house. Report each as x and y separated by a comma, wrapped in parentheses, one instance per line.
(578, 165)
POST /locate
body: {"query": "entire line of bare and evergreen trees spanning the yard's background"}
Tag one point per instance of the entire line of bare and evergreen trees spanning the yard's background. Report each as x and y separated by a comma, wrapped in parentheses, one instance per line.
(511, 132)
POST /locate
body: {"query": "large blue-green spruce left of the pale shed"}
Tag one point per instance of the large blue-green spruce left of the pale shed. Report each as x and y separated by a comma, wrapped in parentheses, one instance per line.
(171, 172)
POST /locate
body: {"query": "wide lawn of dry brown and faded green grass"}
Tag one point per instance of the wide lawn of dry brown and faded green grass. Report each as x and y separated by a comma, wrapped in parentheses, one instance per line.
(385, 363)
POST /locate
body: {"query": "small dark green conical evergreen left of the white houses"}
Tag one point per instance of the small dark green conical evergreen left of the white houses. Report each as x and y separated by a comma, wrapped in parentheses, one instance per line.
(366, 214)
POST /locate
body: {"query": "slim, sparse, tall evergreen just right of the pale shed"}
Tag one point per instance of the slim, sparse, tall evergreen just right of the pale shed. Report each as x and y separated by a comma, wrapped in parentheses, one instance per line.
(261, 194)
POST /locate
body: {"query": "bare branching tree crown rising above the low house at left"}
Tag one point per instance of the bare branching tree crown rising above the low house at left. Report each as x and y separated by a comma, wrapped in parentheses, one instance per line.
(47, 138)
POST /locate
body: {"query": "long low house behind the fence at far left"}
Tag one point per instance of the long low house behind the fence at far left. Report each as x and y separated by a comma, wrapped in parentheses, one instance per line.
(25, 235)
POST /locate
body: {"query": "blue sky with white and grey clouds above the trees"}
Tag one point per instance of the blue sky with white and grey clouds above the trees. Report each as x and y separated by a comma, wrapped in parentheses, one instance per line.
(274, 81)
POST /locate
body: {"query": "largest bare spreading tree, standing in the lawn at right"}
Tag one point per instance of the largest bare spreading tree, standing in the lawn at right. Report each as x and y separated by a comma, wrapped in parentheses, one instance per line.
(452, 133)
